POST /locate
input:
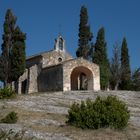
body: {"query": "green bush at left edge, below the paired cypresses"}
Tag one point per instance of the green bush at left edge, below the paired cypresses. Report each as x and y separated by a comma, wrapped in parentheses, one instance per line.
(7, 93)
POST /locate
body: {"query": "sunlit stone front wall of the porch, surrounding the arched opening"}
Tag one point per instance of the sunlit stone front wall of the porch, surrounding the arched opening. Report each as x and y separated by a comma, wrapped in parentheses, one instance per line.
(68, 67)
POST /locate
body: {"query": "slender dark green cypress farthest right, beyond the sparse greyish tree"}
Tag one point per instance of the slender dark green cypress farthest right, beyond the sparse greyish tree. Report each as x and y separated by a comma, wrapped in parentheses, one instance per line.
(125, 67)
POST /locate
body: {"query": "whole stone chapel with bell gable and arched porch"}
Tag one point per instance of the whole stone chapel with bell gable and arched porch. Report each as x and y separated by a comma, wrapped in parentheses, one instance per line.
(56, 70)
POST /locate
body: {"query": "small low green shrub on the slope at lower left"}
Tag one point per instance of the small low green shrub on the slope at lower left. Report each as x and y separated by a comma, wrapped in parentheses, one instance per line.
(10, 118)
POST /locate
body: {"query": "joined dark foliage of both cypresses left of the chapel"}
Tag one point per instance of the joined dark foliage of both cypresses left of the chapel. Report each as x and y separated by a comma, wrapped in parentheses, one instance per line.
(12, 58)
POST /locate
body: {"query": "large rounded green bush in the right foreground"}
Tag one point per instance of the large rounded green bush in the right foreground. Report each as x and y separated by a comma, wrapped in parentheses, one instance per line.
(108, 112)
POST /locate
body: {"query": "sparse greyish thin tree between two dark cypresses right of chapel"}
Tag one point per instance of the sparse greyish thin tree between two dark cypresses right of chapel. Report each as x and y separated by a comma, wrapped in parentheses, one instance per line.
(115, 68)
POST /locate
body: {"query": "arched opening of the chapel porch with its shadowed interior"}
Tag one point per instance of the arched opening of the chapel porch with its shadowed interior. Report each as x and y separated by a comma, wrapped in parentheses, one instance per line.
(81, 79)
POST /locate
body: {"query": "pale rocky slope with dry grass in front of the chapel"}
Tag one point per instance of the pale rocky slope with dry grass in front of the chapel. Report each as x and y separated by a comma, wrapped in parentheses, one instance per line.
(43, 115)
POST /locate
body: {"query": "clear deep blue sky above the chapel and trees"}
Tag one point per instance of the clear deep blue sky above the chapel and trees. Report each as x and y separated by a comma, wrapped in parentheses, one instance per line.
(41, 21)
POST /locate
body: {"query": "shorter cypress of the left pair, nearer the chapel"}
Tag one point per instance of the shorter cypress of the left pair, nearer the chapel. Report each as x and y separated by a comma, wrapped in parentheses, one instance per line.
(18, 54)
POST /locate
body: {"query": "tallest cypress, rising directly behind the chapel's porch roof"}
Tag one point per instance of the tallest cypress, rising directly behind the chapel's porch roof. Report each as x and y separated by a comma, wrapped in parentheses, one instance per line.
(85, 35)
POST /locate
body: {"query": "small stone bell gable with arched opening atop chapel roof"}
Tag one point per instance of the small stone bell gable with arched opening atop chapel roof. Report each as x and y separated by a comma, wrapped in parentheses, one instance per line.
(59, 44)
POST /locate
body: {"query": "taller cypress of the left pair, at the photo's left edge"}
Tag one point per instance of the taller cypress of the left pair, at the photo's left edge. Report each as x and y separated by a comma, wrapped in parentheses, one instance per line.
(9, 26)
